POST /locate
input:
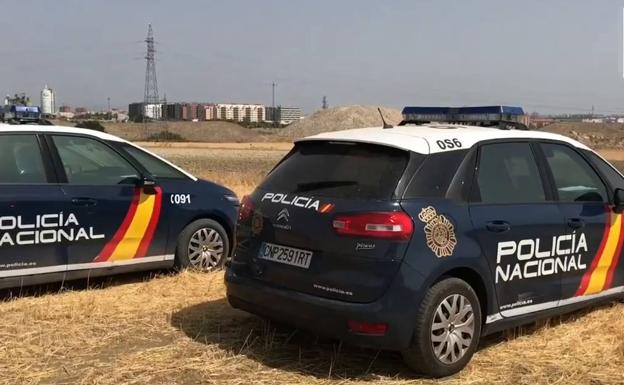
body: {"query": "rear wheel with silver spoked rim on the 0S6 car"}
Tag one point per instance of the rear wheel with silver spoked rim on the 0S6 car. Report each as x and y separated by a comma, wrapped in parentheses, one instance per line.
(440, 346)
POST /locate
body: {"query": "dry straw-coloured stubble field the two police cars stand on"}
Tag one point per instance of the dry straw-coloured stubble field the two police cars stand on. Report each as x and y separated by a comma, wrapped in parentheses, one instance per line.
(167, 328)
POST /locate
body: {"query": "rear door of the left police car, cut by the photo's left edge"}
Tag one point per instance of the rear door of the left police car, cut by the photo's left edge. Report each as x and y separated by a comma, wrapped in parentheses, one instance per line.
(31, 210)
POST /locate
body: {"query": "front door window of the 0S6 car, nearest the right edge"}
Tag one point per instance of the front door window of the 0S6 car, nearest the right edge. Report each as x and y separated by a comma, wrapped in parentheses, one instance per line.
(574, 178)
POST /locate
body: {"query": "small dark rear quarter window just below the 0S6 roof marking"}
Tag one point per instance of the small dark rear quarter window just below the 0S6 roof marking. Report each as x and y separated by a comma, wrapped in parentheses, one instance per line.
(435, 175)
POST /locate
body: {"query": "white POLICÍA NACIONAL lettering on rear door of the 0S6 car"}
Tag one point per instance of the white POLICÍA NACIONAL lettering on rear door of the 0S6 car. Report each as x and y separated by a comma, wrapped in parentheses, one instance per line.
(536, 258)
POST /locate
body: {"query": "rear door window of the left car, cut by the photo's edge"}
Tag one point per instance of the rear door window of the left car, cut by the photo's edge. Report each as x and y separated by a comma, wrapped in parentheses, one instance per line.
(20, 160)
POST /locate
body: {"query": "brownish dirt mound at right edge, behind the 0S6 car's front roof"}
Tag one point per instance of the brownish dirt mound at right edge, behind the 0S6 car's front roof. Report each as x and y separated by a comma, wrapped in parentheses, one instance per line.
(594, 135)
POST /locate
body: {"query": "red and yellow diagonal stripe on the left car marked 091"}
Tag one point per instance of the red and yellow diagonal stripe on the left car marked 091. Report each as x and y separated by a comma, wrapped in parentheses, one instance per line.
(133, 238)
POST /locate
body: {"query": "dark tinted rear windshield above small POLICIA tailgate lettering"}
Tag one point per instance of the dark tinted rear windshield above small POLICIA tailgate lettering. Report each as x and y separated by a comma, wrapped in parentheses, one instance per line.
(339, 170)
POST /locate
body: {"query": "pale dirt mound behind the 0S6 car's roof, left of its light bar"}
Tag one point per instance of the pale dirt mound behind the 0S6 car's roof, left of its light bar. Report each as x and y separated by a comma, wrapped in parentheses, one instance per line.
(341, 118)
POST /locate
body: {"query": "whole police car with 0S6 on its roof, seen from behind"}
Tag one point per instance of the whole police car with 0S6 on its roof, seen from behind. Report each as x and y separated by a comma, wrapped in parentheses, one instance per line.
(424, 237)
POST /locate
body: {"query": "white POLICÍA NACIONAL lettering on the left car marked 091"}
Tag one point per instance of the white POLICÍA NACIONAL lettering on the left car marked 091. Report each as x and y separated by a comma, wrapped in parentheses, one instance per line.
(43, 228)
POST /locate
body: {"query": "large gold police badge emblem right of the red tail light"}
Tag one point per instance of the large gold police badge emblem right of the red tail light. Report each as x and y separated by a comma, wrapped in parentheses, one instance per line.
(439, 232)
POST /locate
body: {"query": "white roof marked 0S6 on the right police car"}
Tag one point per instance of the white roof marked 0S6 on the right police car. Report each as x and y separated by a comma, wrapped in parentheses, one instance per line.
(424, 139)
